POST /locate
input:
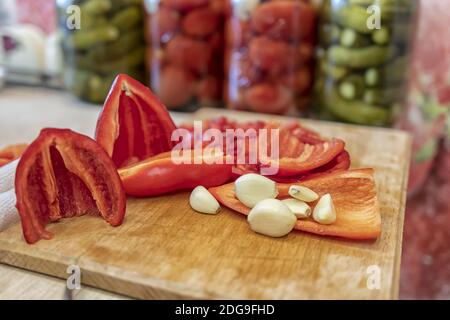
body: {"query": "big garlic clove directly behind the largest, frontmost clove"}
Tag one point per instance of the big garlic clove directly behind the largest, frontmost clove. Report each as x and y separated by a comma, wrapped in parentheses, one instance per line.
(253, 188)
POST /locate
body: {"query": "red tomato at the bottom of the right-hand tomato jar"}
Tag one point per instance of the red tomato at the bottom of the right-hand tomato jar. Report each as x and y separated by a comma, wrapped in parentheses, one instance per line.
(268, 98)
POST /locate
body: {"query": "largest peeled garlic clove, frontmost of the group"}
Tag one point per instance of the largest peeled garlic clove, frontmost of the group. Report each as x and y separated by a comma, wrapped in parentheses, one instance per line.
(272, 218)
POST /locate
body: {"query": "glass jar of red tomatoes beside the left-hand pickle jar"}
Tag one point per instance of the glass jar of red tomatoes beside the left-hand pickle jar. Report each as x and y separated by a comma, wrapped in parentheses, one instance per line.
(185, 51)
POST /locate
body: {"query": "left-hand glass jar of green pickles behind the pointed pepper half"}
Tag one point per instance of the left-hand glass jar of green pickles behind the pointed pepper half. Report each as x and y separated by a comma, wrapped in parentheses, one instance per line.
(100, 39)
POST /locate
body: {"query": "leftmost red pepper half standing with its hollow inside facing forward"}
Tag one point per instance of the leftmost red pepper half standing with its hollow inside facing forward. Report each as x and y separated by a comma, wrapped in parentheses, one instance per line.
(64, 174)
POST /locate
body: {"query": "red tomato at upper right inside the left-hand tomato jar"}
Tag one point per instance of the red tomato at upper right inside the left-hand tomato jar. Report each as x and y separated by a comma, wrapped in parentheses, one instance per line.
(201, 22)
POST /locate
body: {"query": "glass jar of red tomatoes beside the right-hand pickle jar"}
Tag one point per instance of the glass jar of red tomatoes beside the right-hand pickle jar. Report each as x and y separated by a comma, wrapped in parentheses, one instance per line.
(269, 55)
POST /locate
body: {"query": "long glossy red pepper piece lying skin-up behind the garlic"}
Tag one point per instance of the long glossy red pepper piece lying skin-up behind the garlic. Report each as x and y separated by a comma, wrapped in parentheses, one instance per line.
(164, 173)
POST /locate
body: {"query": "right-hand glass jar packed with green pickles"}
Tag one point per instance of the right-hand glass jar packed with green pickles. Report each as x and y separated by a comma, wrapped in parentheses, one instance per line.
(362, 59)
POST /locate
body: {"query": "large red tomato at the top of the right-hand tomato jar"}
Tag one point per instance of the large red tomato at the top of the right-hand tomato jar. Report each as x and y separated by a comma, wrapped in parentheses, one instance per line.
(284, 20)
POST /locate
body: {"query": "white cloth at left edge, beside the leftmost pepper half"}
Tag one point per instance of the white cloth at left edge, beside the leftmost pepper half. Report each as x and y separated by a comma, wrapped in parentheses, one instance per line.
(8, 211)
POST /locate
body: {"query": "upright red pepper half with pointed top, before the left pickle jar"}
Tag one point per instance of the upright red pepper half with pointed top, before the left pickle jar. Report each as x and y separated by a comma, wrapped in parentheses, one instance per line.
(134, 124)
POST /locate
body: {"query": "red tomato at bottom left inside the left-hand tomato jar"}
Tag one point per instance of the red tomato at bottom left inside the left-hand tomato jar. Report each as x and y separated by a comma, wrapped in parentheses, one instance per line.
(175, 87)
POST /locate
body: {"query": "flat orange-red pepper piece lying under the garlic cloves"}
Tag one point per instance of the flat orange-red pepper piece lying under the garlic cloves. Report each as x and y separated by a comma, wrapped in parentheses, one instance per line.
(354, 196)
